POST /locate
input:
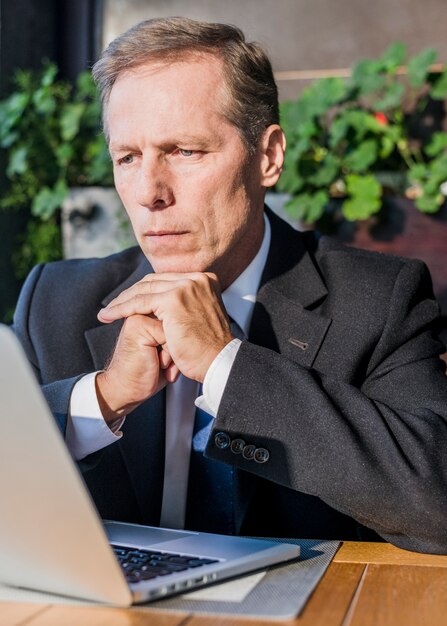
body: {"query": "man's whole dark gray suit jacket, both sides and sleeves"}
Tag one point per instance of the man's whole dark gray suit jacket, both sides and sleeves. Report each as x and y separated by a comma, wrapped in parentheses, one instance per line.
(340, 381)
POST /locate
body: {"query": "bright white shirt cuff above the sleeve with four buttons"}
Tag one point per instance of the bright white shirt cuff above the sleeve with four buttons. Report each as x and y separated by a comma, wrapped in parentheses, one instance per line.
(216, 378)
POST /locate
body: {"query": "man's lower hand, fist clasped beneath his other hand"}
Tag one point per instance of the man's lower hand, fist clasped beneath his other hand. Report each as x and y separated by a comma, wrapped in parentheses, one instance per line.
(140, 366)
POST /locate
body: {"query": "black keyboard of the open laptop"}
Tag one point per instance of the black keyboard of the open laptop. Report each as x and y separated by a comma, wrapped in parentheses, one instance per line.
(140, 565)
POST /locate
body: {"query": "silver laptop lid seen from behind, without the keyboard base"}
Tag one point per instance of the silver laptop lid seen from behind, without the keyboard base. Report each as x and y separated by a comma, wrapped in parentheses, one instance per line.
(50, 535)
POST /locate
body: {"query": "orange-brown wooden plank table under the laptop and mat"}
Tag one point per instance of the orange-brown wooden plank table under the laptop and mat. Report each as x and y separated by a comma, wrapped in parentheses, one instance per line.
(367, 584)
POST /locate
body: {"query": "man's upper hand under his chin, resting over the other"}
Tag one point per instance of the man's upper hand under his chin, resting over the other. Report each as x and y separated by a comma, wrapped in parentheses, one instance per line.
(190, 308)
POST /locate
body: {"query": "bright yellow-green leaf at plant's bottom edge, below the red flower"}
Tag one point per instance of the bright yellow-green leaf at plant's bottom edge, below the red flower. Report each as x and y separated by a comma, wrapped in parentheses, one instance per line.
(364, 197)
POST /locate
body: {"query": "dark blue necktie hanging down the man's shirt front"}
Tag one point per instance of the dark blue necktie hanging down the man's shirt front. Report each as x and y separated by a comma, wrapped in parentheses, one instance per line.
(210, 503)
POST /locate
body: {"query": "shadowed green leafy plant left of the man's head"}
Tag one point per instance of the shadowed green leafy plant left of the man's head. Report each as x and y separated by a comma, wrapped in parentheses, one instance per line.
(50, 133)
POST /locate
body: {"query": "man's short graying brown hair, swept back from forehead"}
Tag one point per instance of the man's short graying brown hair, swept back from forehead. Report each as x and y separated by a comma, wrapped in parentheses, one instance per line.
(253, 101)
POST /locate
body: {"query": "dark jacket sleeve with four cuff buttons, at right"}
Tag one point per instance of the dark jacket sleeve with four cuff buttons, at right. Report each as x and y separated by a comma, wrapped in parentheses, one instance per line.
(374, 451)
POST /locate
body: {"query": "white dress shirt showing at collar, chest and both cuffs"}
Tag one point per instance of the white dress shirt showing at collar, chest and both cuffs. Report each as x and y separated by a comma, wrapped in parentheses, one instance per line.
(88, 432)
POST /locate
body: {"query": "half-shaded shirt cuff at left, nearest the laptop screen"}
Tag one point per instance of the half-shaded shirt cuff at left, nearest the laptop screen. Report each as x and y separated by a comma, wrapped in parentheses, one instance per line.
(87, 431)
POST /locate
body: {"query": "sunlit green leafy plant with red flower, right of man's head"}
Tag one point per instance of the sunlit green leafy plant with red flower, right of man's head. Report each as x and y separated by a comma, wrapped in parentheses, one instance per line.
(356, 139)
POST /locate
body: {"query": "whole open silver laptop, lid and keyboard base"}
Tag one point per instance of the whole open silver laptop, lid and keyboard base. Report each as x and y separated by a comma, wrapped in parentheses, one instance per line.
(51, 537)
